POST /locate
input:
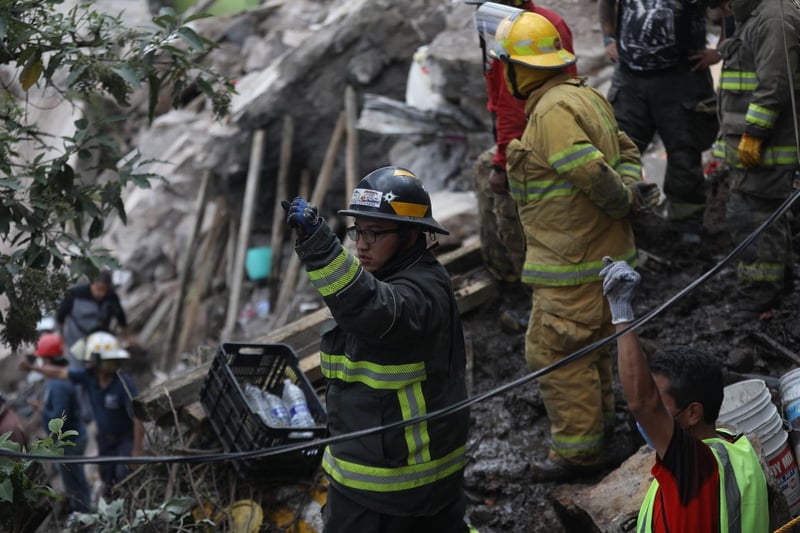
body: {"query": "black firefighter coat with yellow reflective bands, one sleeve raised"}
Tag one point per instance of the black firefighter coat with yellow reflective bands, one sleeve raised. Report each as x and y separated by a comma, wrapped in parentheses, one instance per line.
(394, 350)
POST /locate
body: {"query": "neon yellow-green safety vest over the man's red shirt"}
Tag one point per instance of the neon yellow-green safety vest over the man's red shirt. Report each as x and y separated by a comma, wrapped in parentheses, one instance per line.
(744, 507)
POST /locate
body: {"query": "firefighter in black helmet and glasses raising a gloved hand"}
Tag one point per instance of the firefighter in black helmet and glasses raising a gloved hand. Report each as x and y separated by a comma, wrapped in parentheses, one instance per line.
(395, 351)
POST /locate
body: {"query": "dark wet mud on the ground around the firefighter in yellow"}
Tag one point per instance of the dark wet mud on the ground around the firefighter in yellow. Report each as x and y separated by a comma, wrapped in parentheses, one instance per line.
(511, 430)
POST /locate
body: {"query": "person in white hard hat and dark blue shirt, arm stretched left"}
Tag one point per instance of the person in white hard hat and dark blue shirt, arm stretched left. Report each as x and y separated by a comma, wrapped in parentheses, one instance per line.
(111, 392)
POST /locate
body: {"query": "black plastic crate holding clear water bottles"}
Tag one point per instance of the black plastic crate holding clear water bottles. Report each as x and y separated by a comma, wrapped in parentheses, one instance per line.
(240, 429)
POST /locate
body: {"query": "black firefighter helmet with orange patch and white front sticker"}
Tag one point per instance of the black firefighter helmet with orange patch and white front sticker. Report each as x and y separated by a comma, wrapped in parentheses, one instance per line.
(393, 193)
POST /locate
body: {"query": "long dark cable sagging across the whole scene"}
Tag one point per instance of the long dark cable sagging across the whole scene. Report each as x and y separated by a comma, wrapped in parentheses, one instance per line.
(309, 445)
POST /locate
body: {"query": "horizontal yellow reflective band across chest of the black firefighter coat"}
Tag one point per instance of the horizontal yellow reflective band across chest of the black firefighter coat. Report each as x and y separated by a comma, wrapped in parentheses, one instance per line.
(373, 375)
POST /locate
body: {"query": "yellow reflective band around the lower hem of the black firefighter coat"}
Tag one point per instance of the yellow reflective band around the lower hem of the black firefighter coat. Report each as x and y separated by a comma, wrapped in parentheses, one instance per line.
(380, 479)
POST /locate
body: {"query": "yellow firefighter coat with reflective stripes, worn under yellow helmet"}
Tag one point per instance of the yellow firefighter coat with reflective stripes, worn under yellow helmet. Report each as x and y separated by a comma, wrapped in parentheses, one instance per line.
(569, 174)
